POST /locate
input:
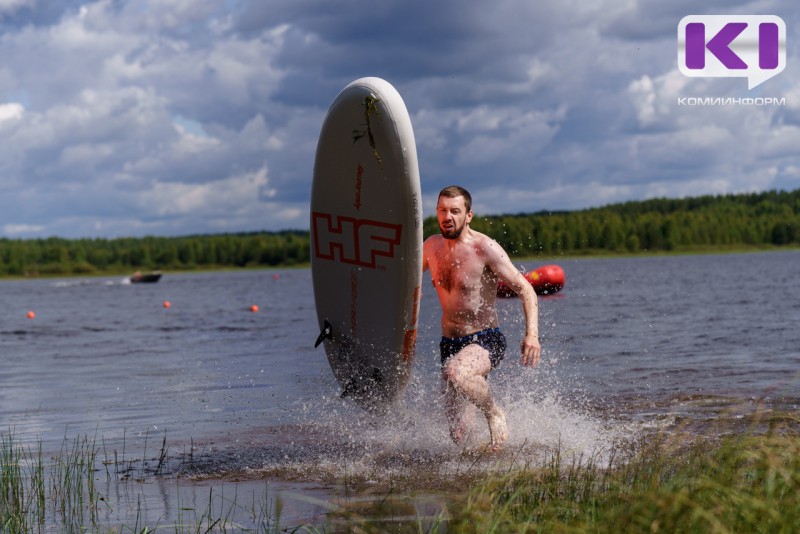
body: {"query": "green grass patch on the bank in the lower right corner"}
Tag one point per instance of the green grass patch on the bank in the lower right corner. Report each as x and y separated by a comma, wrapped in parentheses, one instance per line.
(747, 483)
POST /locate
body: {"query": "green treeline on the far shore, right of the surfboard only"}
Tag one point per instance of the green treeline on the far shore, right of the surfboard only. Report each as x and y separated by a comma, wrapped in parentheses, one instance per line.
(721, 222)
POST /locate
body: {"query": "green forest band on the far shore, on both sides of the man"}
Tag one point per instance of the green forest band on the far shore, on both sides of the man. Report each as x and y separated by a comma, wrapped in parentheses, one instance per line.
(698, 224)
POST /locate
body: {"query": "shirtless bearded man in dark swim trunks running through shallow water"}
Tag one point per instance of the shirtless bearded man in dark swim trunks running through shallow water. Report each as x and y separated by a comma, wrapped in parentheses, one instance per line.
(465, 266)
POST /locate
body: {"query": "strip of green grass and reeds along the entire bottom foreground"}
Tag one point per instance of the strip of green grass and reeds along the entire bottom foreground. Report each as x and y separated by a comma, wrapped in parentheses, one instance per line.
(671, 482)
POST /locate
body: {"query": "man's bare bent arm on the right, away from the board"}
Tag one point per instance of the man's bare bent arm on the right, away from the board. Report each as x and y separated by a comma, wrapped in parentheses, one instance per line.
(501, 264)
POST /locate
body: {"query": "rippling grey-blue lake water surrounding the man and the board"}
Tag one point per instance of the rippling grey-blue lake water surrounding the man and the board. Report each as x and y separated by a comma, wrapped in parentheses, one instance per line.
(629, 344)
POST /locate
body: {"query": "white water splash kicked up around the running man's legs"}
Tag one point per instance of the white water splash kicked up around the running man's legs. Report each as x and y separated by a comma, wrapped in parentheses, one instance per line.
(330, 440)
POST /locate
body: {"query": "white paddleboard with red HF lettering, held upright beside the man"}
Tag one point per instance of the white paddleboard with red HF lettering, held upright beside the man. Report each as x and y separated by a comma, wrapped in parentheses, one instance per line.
(366, 241)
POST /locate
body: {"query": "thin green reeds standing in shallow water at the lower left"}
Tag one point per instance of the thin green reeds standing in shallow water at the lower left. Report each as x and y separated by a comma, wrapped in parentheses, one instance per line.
(62, 494)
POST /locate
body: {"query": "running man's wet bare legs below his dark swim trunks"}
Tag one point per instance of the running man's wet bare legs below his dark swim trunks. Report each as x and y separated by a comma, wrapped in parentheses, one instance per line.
(465, 373)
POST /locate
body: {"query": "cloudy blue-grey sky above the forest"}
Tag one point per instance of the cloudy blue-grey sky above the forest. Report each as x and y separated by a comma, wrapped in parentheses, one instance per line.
(171, 117)
